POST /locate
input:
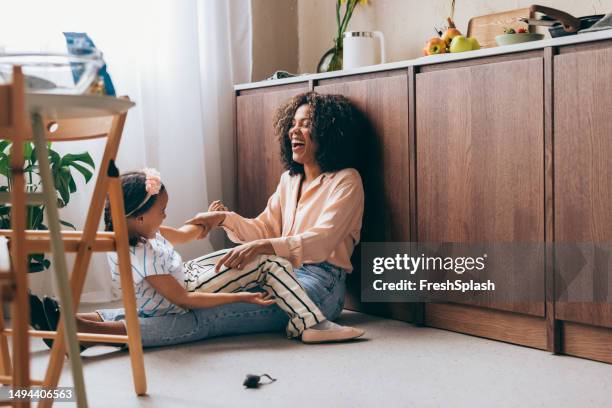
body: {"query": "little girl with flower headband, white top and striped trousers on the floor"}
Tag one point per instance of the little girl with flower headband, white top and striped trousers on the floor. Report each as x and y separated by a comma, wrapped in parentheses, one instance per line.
(164, 285)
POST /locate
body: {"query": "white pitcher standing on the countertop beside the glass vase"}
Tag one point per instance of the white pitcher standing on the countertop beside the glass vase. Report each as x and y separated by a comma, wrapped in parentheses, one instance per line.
(362, 48)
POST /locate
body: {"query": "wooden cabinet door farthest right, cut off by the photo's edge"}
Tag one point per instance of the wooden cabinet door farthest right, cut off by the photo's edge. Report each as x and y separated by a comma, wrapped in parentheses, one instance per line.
(583, 184)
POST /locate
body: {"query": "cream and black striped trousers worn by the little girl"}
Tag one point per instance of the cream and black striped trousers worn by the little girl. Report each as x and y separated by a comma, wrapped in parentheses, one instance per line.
(271, 273)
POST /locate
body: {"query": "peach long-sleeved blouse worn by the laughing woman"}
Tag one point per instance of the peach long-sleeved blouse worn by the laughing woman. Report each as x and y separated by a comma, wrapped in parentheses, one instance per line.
(323, 226)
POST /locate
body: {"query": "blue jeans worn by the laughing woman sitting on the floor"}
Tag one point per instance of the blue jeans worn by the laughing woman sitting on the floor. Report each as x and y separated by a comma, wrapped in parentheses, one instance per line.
(325, 284)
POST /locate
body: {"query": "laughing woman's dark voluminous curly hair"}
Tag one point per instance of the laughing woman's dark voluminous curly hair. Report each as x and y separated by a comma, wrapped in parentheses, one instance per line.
(333, 128)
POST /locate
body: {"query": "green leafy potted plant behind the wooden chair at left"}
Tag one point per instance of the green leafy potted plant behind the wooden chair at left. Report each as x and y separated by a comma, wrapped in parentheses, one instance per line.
(64, 183)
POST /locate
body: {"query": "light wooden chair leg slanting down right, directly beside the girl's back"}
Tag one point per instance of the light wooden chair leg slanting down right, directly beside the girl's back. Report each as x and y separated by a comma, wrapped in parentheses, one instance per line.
(127, 285)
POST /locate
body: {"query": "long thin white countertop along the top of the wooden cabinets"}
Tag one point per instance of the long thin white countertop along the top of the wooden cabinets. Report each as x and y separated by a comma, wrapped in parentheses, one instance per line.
(436, 59)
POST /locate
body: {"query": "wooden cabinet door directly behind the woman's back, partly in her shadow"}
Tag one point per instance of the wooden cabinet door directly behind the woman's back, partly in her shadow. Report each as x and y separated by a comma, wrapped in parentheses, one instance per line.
(384, 102)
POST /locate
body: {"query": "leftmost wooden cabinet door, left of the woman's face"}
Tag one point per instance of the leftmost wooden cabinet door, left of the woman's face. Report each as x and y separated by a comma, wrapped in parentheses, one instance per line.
(259, 165)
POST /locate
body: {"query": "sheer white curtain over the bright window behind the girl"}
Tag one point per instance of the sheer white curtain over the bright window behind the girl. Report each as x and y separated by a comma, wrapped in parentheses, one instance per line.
(178, 60)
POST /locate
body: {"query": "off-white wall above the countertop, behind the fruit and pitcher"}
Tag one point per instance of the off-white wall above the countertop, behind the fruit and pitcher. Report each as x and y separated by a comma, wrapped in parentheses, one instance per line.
(407, 24)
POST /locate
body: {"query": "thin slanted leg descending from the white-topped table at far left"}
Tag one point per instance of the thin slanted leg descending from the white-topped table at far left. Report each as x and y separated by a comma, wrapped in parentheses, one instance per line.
(59, 259)
